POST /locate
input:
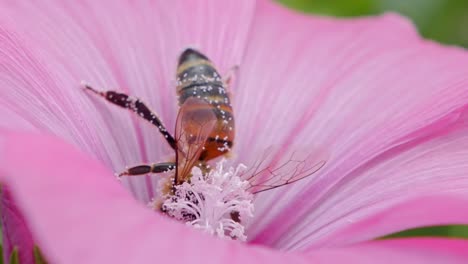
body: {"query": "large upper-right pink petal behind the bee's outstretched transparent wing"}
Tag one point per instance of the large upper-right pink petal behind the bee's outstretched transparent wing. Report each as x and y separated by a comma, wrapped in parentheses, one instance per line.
(355, 89)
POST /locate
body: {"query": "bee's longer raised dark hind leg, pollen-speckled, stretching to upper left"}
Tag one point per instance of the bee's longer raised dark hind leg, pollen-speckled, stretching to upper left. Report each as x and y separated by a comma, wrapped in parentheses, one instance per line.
(136, 106)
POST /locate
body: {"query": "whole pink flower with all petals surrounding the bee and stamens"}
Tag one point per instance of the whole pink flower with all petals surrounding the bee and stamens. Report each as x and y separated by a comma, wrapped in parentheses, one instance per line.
(386, 106)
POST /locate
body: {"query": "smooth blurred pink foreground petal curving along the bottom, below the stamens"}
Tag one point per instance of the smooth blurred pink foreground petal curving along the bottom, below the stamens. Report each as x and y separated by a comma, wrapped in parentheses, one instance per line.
(78, 216)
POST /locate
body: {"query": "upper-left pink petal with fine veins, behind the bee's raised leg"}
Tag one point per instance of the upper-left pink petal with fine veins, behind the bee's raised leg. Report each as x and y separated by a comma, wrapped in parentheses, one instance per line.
(47, 49)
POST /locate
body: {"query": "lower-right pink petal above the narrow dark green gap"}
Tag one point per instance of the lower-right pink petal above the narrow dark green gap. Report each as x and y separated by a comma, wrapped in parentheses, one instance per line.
(432, 166)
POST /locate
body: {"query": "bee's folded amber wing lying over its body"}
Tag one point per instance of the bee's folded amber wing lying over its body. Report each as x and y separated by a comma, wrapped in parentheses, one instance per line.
(195, 122)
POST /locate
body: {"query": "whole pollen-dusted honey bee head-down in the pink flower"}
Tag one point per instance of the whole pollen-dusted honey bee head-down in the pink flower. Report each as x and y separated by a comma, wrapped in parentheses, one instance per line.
(205, 127)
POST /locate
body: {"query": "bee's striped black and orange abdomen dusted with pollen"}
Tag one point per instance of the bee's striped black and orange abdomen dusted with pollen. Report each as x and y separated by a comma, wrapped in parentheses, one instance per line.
(197, 77)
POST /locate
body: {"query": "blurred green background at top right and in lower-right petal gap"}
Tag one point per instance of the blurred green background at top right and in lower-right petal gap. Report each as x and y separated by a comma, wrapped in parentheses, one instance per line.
(443, 20)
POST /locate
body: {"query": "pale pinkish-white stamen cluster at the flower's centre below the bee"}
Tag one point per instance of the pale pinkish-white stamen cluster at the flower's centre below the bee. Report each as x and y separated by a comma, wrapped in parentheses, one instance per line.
(213, 202)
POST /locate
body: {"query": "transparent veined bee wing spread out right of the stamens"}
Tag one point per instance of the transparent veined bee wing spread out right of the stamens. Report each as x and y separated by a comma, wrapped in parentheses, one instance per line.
(273, 169)
